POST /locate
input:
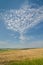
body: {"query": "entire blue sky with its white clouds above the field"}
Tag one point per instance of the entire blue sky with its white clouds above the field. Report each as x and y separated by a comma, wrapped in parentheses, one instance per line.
(21, 23)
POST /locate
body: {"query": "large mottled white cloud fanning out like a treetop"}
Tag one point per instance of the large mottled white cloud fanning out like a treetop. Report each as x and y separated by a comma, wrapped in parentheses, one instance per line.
(23, 18)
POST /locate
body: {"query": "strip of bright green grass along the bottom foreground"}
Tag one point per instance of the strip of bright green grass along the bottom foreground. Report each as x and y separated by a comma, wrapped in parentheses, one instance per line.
(25, 62)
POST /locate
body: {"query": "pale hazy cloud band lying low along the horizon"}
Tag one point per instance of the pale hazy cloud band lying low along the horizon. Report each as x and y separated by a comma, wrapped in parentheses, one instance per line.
(32, 44)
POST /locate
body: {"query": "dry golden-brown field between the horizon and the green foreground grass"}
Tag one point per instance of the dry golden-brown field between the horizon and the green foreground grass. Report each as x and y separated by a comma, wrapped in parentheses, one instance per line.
(12, 55)
